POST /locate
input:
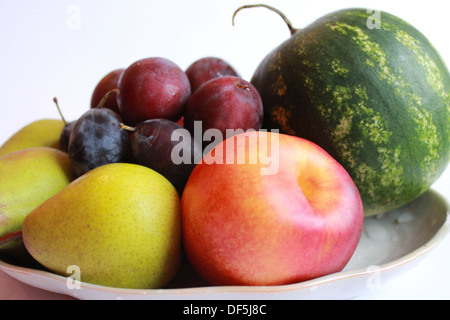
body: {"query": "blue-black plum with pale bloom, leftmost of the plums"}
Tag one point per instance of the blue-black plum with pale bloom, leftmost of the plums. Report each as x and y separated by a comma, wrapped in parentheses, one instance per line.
(96, 140)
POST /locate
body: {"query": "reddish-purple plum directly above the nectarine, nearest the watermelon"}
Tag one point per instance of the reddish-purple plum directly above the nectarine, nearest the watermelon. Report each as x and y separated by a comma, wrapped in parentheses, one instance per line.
(223, 103)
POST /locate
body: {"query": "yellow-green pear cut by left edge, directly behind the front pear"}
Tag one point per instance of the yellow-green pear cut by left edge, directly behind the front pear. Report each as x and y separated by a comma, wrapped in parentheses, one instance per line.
(28, 177)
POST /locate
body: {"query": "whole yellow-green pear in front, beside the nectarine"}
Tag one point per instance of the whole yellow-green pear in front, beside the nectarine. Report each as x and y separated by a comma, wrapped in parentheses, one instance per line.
(119, 225)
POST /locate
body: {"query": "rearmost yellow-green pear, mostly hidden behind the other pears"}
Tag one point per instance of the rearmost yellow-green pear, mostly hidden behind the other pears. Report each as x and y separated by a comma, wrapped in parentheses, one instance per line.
(40, 133)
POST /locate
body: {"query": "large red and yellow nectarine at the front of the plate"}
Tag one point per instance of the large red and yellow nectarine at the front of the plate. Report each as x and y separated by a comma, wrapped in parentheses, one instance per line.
(244, 228)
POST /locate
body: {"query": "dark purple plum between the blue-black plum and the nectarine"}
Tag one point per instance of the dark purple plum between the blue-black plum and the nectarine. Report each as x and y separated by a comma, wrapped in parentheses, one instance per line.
(152, 147)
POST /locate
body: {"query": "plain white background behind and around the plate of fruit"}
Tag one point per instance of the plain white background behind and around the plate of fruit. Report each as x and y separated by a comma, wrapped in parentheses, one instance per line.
(63, 48)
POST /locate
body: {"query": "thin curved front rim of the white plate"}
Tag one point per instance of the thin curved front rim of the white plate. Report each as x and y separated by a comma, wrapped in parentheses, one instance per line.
(443, 231)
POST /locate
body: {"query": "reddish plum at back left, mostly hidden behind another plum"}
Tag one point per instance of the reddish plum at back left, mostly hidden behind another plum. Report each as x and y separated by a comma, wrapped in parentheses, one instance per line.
(106, 84)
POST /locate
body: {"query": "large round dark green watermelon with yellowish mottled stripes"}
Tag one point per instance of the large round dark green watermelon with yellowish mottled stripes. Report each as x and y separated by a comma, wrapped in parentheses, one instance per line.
(373, 93)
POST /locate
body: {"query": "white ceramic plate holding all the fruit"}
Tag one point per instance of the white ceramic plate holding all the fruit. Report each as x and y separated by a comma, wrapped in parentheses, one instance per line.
(390, 245)
